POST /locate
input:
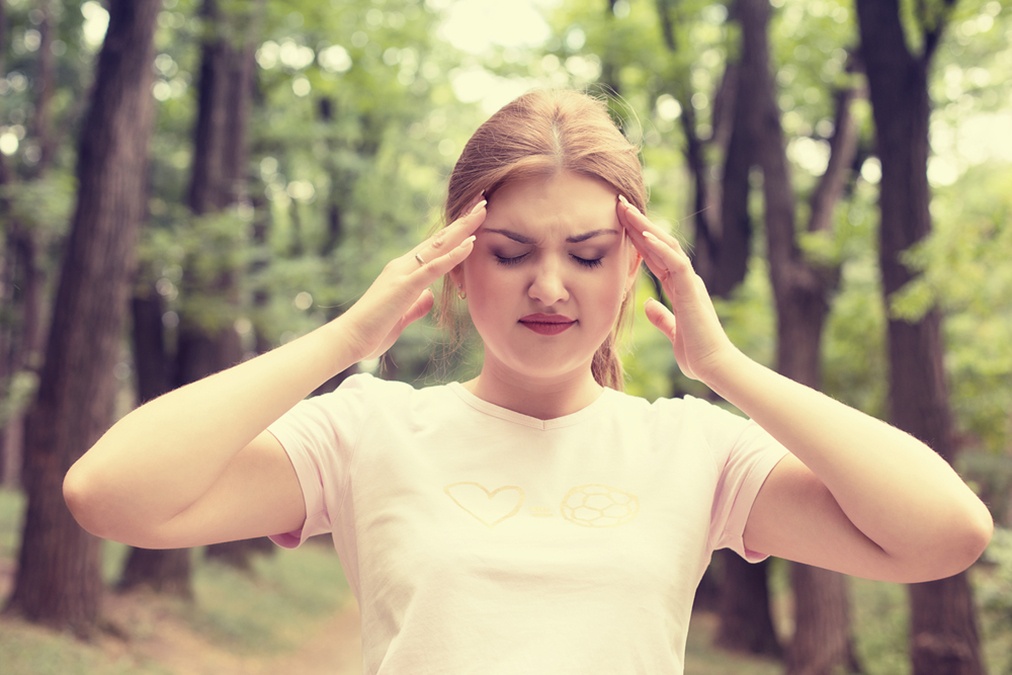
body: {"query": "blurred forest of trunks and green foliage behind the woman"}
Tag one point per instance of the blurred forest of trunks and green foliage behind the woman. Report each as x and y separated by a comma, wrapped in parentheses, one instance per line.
(186, 184)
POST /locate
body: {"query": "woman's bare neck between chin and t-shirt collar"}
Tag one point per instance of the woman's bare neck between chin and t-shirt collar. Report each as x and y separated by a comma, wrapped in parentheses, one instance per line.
(542, 399)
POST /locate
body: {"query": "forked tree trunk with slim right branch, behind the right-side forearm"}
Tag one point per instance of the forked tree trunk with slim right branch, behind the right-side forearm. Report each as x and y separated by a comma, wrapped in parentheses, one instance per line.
(822, 643)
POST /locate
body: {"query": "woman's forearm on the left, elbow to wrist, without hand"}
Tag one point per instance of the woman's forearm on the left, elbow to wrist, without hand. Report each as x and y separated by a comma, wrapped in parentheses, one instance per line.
(163, 457)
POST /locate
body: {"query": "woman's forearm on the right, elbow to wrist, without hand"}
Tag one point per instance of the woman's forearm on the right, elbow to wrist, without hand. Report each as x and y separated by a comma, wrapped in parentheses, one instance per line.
(896, 490)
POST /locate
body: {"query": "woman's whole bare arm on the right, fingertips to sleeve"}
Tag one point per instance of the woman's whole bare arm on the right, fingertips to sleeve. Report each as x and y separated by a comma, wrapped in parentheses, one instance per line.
(856, 495)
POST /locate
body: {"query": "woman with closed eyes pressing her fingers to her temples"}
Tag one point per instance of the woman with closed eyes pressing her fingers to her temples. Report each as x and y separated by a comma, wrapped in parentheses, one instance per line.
(534, 520)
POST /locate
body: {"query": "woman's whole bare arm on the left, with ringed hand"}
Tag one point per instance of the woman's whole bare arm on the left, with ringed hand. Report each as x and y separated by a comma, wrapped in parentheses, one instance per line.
(197, 466)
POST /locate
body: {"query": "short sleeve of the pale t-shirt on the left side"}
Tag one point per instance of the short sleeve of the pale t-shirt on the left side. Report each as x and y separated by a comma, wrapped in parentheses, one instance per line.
(320, 436)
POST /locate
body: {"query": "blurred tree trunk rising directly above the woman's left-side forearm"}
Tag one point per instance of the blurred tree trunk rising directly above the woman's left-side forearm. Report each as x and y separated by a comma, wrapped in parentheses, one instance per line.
(208, 341)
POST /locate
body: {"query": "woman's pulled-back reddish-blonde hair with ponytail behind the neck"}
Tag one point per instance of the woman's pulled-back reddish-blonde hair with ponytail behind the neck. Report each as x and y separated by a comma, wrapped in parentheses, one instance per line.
(542, 133)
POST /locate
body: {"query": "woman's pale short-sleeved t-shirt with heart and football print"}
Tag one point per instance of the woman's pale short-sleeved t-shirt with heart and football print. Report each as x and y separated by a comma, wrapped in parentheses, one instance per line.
(481, 541)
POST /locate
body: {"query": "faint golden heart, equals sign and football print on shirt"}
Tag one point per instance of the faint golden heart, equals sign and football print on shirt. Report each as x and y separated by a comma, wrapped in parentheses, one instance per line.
(592, 505)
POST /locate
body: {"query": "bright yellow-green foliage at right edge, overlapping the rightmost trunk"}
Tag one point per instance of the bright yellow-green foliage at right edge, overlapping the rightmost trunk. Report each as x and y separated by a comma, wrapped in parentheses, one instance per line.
(964, 270)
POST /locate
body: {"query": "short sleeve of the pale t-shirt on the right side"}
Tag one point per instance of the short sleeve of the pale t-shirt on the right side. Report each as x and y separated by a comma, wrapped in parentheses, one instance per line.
(746, 456)
